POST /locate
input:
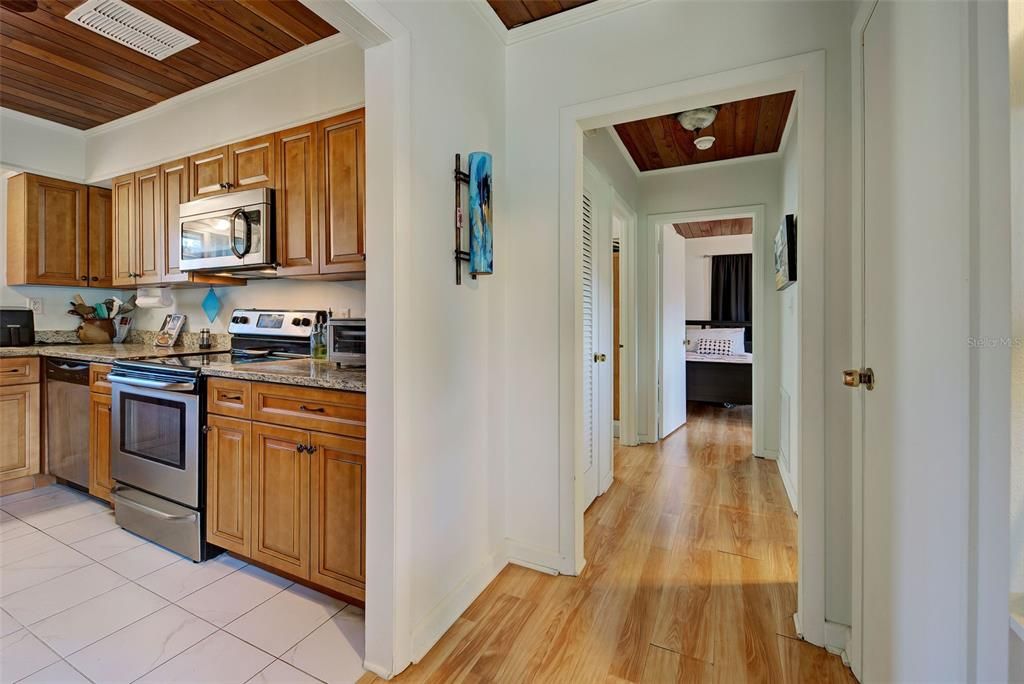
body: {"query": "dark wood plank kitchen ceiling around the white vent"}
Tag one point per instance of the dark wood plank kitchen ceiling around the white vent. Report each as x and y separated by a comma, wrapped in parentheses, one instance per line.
(57, 70)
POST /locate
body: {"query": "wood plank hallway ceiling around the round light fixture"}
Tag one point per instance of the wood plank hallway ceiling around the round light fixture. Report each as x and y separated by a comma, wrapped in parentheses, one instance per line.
(744, 129)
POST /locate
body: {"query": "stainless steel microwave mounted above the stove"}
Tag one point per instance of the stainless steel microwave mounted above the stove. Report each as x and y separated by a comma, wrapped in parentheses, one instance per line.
(228, 232)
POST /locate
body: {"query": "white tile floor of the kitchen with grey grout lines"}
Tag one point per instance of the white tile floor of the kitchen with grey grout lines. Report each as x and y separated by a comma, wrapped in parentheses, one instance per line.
(83, 601)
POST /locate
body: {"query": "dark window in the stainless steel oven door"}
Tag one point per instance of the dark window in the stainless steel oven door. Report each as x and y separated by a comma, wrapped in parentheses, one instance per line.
(154, 430)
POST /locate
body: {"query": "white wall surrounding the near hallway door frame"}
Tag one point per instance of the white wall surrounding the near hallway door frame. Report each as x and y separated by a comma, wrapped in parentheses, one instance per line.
(647, 46)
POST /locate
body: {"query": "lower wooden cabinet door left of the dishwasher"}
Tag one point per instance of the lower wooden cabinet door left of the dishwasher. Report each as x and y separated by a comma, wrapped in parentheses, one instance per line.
(19, 432)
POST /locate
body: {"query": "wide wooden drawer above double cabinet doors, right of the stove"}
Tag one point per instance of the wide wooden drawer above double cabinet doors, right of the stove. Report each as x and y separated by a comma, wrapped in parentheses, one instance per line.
(334, 412)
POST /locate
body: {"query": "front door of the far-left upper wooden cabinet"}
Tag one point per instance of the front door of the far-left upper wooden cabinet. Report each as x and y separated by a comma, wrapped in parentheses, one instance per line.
(58, 233)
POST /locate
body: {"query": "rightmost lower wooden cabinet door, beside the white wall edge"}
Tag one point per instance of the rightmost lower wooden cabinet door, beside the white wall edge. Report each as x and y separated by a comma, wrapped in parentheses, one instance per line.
(338, 516)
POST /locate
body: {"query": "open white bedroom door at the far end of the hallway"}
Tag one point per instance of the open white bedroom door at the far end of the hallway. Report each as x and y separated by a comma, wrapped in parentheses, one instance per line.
(672, 389)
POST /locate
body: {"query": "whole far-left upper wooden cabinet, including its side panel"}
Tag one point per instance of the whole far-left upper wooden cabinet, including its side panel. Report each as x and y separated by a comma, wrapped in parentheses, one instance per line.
(48, 232)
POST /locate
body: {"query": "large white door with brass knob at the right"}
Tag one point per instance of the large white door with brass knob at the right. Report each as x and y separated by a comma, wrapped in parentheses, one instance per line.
(916, 327)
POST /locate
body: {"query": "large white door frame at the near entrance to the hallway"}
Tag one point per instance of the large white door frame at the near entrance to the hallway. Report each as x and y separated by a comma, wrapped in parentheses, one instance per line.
(806, 75)
